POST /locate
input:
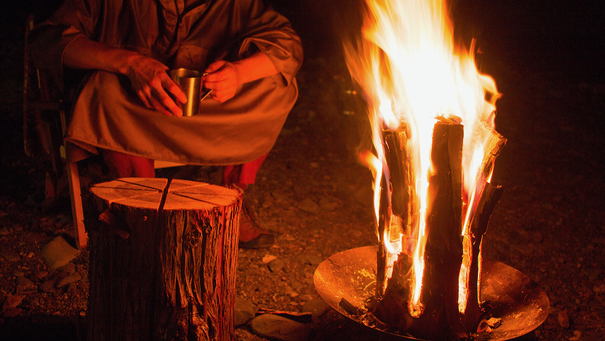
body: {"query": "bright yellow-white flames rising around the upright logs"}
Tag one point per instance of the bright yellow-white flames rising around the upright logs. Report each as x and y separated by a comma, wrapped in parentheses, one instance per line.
(411, 72)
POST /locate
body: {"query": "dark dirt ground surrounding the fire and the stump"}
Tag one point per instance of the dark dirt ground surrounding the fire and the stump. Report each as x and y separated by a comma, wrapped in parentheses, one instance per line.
(316, 198)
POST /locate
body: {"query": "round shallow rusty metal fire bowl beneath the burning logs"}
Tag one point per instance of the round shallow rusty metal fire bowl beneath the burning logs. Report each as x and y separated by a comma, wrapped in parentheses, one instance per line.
(517, 300)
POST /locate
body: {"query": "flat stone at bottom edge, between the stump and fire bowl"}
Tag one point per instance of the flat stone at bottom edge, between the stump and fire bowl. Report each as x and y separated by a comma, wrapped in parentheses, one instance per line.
(279, 328)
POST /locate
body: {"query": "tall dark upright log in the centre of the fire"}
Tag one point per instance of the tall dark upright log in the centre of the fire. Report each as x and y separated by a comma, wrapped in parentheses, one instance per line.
(443, 251)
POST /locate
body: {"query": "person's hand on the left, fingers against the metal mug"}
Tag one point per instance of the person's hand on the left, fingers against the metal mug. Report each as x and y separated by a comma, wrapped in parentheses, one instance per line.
(152, 84)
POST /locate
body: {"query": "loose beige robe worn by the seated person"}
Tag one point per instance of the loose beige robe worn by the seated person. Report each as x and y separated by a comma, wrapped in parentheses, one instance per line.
(107, 113)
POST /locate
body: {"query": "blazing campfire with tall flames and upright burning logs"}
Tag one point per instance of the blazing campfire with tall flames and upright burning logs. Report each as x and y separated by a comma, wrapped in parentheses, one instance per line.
(434, 147)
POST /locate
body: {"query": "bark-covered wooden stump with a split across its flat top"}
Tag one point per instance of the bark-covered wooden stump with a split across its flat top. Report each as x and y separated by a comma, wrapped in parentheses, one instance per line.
(163, 259)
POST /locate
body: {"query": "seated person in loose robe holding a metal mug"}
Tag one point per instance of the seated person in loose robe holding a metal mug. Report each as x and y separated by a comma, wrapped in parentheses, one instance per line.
(111, 58)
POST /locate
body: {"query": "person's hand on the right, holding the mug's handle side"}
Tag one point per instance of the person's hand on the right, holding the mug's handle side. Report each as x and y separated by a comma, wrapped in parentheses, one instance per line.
(223, 79)
